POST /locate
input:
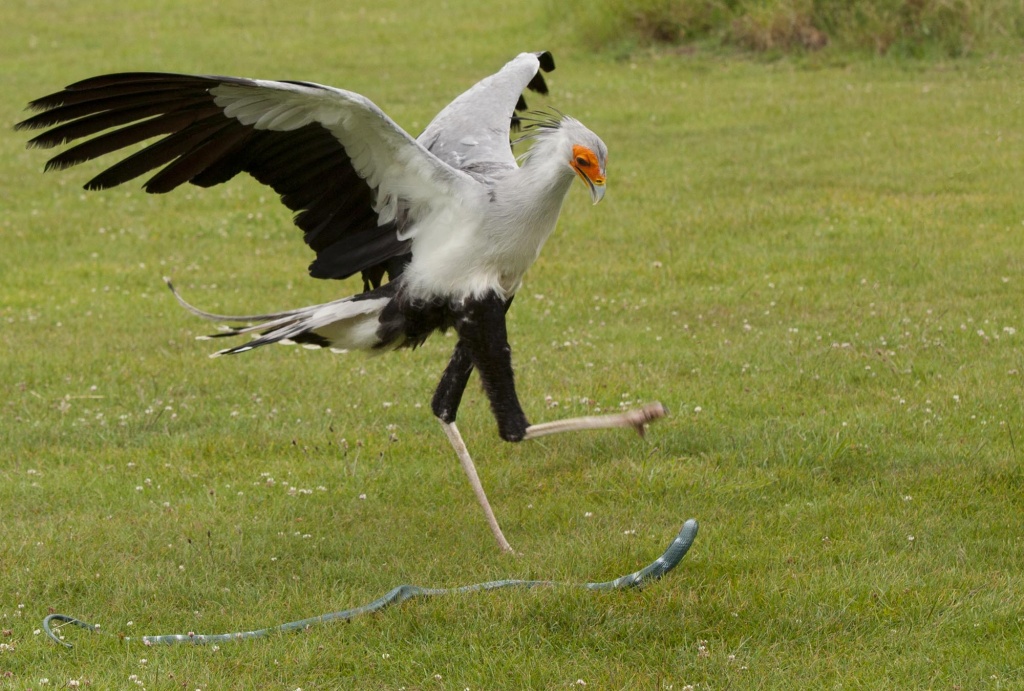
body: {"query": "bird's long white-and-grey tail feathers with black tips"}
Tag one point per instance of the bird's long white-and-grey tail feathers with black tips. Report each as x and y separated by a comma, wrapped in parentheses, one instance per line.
(348, 324)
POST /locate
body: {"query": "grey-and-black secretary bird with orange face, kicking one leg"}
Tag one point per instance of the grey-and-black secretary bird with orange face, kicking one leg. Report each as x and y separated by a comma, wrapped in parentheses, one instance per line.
(450, 218)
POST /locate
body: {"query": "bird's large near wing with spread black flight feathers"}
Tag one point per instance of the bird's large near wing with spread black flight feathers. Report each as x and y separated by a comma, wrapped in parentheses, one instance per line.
(345, 167)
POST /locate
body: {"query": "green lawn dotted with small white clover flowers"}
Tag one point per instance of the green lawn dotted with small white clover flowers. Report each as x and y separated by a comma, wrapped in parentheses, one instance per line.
(818, 269)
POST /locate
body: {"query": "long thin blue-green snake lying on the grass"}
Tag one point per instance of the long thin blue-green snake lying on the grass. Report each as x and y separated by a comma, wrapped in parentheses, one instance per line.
(668, 562)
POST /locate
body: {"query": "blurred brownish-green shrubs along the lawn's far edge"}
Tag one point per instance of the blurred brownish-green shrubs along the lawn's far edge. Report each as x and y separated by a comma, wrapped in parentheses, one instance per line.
(910, 28)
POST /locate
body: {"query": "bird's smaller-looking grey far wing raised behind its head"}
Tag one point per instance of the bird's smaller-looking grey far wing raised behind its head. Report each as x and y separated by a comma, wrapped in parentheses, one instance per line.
(473, 133)
